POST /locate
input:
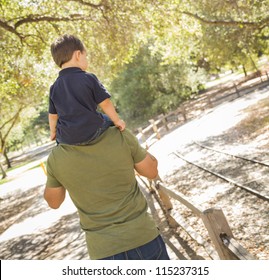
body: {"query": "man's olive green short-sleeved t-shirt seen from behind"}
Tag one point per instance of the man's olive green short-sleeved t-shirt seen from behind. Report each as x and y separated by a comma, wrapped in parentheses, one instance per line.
(101, 182)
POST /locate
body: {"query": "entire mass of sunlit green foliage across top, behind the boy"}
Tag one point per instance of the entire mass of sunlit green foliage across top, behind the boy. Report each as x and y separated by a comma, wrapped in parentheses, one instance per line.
(186, 36)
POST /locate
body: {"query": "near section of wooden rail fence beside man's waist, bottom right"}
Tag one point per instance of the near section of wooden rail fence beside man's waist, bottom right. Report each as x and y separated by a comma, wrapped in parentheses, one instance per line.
(214, 220)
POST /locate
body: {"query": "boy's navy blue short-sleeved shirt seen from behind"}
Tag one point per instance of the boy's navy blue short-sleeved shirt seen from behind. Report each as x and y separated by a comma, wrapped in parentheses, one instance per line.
(74, 96)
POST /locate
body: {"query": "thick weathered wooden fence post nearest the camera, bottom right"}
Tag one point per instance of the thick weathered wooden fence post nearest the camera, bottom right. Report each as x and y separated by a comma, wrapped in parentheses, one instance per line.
(217, 225)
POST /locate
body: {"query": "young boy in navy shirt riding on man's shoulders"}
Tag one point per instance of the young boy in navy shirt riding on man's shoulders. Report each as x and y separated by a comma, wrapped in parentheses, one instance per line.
(75, 95)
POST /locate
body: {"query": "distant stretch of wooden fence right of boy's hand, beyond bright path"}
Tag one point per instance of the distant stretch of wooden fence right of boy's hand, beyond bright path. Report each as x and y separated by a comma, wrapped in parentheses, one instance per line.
(198, 105)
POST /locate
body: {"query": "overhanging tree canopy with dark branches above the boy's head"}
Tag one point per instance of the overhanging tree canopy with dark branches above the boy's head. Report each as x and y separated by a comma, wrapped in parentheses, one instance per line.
(108, 28)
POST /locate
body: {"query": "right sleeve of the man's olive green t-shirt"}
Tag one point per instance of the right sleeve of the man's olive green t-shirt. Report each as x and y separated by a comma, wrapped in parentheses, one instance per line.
(138, 153)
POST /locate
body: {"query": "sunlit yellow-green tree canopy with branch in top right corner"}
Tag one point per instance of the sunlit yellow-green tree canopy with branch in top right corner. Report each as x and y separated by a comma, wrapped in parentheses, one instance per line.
(213, 33)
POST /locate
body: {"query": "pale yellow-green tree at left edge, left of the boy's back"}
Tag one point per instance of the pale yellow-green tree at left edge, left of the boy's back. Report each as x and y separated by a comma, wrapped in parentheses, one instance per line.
(22, 84)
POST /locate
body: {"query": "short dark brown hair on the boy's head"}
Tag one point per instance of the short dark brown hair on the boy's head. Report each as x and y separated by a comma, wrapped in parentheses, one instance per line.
(63, 48)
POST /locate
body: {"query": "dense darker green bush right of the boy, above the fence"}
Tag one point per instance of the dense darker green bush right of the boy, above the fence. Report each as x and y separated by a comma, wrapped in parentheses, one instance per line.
(147, 87)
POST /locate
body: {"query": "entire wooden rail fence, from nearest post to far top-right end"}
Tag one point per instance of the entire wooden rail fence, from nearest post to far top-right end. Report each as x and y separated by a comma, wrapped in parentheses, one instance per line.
(214, 220)
